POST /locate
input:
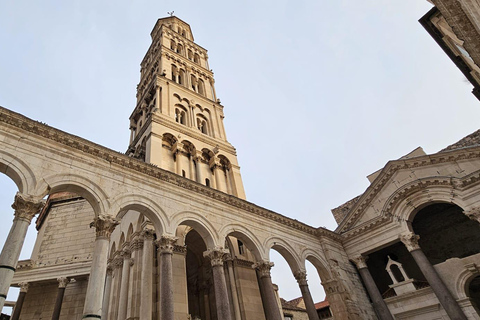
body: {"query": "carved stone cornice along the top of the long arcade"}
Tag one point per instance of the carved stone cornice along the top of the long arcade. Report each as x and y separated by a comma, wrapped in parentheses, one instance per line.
(8, 117)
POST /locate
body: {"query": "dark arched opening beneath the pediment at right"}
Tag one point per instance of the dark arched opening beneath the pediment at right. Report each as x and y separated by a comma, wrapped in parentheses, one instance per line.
(445, 232)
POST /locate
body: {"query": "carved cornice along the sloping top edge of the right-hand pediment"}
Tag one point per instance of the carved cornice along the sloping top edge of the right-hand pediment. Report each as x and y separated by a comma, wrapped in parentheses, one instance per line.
(404, 164)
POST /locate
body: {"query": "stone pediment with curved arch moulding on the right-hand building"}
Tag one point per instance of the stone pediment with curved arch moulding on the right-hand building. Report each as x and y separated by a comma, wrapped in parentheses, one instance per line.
(399, 178)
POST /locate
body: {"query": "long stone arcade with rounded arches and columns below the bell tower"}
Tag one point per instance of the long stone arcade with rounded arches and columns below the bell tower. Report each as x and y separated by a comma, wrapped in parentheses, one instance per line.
(42, 160)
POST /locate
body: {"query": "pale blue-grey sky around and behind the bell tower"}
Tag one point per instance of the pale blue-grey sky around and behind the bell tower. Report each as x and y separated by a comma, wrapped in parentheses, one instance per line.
(317, 94)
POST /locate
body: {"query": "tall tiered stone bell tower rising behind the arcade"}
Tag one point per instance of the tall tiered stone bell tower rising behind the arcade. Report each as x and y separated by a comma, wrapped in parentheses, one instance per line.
(177, 123)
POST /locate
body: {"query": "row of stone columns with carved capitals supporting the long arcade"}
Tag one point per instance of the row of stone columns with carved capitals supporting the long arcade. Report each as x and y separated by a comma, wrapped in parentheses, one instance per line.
(137, 257)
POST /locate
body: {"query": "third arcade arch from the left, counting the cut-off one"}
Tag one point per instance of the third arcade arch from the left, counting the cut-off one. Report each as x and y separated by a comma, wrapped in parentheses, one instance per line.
(144, 205)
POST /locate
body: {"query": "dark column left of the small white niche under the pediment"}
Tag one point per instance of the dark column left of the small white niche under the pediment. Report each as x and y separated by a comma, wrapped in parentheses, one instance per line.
(379, 304)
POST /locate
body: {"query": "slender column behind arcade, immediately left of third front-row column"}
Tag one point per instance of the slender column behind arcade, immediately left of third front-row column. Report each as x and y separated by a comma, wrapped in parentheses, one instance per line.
(147, 276)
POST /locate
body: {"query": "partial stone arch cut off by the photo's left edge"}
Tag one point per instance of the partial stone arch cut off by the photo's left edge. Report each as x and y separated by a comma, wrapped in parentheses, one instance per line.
(18, 171)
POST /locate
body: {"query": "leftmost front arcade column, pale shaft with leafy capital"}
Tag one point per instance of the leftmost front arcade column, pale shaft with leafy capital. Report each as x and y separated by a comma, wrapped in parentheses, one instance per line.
(25, 208)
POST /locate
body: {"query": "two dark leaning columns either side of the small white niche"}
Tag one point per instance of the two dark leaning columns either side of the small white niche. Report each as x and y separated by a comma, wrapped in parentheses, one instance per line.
(444, 296)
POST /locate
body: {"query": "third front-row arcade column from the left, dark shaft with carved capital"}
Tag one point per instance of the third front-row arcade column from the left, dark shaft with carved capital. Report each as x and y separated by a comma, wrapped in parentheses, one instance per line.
(165, 245)
